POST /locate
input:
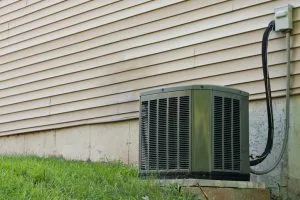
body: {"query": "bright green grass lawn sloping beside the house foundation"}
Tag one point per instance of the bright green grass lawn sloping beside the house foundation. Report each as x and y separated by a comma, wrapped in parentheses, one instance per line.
(52, 178)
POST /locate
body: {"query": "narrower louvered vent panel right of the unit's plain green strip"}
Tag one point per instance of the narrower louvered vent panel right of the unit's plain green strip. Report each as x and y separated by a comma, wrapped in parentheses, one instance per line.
(226, 140)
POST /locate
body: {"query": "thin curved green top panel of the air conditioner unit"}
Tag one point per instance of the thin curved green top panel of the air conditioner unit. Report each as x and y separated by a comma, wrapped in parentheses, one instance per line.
(195, 87)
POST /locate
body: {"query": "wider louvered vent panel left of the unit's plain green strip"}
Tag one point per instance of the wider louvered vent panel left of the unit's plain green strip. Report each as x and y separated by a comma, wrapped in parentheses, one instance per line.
(165, 134)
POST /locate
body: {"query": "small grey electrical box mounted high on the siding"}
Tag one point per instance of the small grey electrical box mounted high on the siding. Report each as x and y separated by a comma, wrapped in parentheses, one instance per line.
(283, 18)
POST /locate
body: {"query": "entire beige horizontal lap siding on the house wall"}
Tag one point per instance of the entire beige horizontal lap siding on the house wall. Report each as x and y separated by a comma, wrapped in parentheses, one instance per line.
(67, 63)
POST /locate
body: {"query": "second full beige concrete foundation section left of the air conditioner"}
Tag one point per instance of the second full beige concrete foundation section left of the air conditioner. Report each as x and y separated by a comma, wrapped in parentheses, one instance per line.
(73, 143)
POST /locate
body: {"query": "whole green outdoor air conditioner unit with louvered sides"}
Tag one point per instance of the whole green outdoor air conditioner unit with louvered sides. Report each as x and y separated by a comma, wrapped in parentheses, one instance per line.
(199, 131)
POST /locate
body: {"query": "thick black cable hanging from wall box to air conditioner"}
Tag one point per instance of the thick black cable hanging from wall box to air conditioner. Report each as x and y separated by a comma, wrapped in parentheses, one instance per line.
(264, 52)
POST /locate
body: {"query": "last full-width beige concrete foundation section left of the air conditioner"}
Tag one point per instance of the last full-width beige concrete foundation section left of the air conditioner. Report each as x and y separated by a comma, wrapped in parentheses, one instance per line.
(110, 141)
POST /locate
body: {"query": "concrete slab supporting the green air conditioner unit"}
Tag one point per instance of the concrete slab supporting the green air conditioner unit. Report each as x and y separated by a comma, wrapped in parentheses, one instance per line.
(220, 190)
